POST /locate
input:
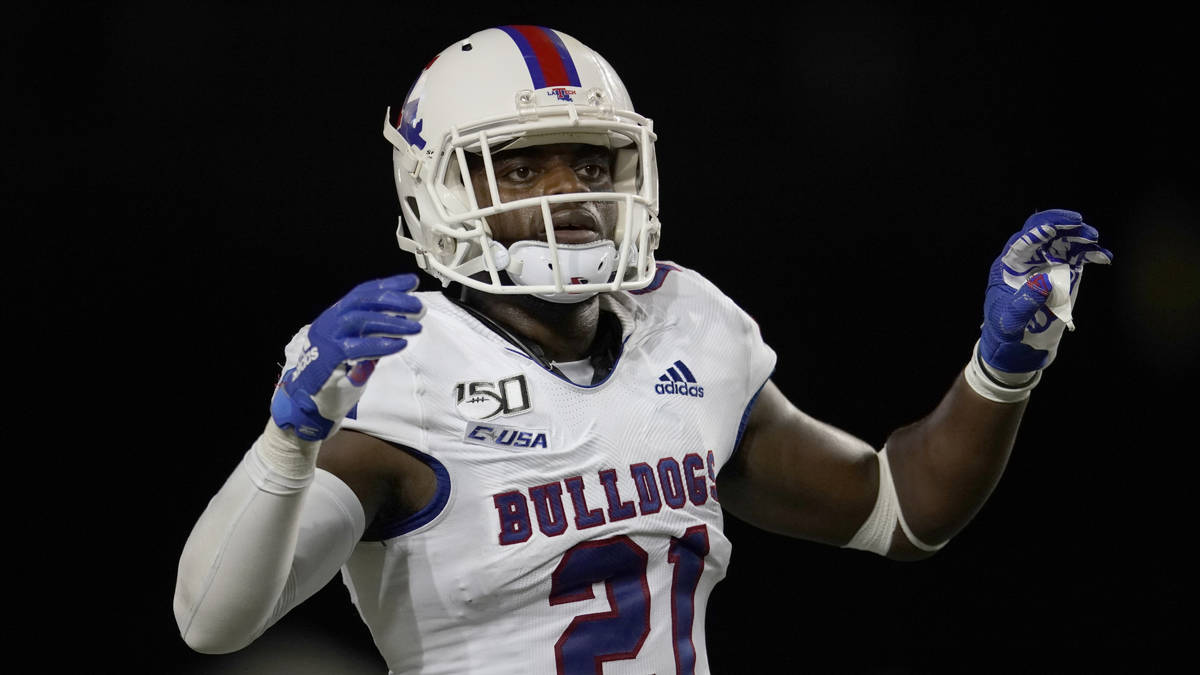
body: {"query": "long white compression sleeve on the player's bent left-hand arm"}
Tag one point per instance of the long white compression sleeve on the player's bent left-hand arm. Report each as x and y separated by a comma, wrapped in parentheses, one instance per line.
(265, 545)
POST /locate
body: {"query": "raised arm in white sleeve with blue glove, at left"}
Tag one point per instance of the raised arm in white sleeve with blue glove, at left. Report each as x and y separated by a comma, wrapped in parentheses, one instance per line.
(279, 529)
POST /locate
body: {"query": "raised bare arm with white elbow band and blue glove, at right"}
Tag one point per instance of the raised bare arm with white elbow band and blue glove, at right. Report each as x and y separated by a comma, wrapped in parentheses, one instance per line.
(796, 476)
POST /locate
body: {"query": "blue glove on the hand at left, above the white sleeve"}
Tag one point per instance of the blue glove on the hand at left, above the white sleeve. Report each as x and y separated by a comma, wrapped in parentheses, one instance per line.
(340, 351)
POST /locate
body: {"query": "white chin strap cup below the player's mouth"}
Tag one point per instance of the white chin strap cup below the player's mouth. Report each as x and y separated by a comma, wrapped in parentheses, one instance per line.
(531, 264)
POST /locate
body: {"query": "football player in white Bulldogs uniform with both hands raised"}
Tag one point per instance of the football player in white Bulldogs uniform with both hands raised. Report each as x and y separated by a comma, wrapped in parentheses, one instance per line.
(526, 471)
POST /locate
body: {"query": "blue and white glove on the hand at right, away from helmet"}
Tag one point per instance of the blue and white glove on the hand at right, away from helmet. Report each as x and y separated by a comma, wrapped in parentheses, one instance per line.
(1033, 288)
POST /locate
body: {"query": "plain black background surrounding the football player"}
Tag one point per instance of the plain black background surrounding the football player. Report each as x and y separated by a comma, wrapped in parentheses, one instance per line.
(190, 183)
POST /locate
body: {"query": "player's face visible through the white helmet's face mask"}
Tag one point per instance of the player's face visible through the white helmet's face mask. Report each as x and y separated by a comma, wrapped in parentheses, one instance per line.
(543, 171)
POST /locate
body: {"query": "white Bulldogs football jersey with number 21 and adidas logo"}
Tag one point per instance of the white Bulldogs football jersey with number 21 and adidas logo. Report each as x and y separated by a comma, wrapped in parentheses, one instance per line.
(577, 528)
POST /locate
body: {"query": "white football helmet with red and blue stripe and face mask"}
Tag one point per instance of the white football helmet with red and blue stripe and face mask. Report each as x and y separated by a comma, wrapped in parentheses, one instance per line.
(507, 88)
